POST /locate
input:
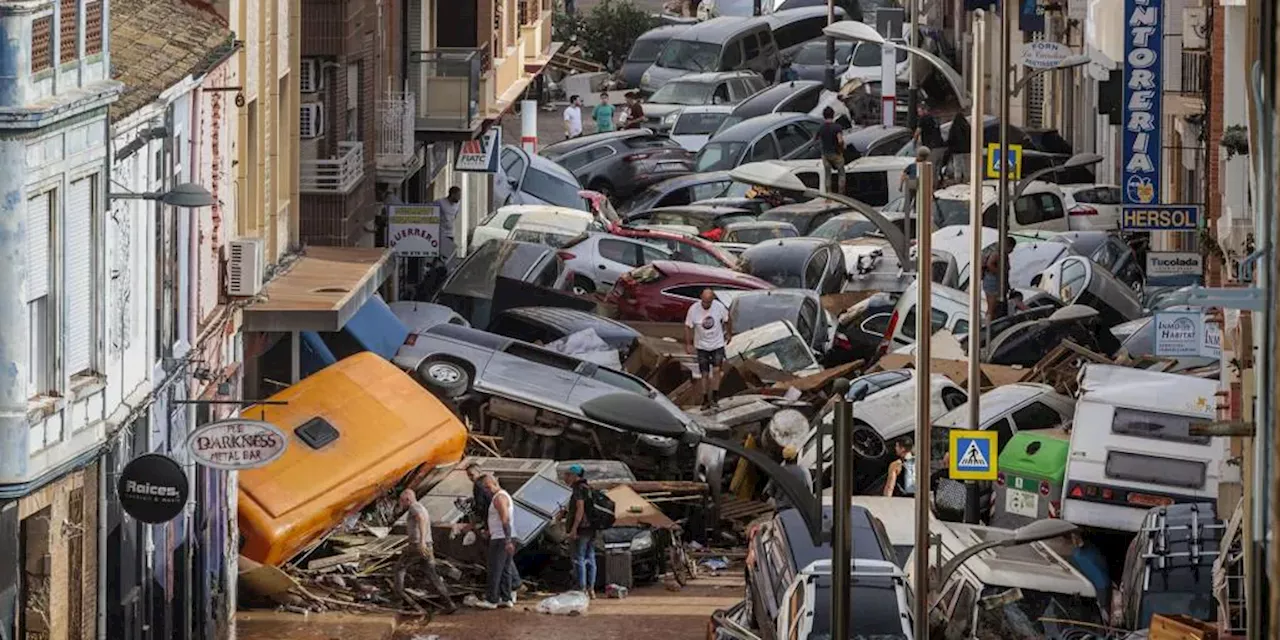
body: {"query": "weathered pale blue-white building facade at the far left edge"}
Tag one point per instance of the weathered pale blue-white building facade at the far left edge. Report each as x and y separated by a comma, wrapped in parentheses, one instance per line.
(56, 89)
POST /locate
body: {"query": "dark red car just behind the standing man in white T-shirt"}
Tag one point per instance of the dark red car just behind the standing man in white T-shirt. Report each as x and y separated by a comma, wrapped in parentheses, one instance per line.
(662, 291)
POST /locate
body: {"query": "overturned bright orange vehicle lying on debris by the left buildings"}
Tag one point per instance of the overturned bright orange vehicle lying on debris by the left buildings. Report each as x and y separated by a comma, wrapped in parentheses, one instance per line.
(356, 429)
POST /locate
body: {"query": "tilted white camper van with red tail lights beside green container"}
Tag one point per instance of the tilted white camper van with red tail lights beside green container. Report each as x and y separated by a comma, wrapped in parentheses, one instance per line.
(1132, 447)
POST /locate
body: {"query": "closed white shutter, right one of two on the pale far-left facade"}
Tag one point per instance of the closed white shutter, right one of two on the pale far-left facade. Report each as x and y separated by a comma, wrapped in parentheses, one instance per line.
(79, 252)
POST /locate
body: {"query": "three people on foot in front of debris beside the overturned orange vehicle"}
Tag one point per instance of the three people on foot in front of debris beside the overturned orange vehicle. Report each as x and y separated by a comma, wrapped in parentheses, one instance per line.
(493, 518)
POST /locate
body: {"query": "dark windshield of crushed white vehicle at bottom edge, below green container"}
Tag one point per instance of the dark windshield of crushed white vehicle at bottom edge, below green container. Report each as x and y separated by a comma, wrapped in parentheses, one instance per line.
(1035, 615)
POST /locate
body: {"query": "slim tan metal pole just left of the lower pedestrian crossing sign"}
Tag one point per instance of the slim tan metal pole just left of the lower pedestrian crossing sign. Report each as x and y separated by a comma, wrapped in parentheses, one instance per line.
(924, 377)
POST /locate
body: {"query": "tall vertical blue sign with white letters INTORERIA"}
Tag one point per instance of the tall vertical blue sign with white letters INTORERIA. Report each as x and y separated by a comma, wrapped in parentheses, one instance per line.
(1144, 143)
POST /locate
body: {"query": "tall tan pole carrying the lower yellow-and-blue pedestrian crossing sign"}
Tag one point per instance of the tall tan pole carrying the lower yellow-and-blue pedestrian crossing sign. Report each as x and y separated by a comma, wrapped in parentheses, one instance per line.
(980, 36)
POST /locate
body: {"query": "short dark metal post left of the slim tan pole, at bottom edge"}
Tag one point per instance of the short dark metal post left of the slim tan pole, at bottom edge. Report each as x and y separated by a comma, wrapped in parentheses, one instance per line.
(842, 531)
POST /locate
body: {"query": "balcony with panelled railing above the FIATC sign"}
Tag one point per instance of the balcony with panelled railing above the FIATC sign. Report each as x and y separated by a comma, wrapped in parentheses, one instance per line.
(446, 84)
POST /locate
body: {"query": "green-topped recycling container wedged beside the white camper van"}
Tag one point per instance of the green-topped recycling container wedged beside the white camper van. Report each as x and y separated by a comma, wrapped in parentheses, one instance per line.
(1030, 487)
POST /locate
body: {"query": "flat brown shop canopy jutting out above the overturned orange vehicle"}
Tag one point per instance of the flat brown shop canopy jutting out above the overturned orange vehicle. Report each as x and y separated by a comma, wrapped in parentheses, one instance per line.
(321, 291)
